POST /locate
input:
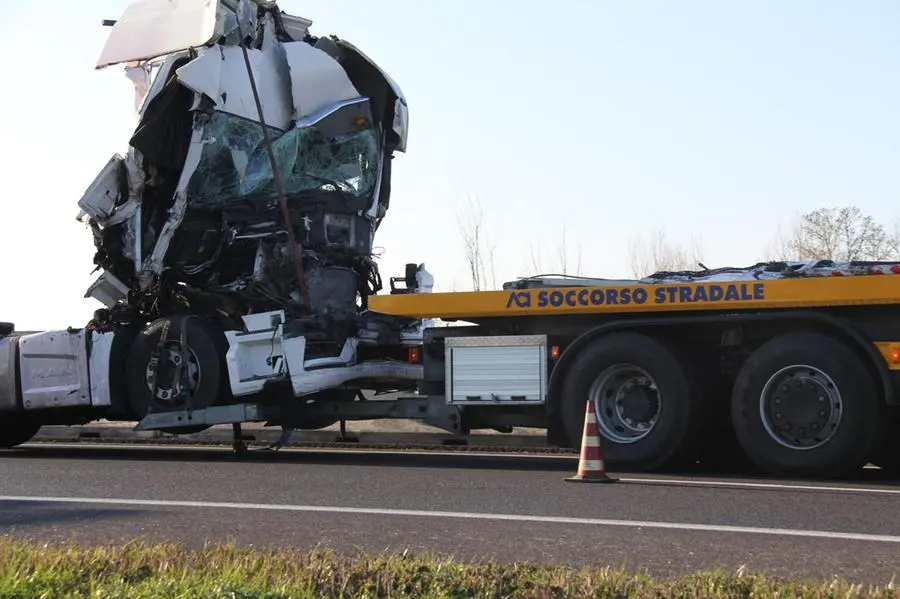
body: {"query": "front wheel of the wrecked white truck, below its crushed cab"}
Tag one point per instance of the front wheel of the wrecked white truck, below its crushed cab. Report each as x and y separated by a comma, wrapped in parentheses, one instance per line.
(203, 369)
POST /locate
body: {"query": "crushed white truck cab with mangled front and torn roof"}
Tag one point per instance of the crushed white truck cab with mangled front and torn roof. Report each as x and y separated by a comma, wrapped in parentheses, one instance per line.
(250, 192)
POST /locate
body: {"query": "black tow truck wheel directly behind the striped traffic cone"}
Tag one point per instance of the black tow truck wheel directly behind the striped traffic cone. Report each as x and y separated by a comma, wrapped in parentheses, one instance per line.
(643, 399)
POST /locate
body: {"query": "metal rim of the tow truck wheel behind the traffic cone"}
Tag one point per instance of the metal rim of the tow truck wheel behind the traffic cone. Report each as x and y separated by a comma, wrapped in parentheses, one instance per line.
(626, 400)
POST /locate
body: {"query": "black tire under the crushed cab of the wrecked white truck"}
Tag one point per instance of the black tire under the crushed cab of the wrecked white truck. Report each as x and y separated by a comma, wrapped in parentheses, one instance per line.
(206, 364)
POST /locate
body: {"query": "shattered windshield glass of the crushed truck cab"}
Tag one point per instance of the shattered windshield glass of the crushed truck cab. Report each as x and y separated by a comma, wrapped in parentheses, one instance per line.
(234, 166)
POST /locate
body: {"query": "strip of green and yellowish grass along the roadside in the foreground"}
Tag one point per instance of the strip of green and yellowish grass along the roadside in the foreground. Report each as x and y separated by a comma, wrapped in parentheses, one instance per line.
(136, 571)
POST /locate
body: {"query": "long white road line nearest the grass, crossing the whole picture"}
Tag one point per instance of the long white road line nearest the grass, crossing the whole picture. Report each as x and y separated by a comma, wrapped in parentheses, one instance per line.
(788, 532)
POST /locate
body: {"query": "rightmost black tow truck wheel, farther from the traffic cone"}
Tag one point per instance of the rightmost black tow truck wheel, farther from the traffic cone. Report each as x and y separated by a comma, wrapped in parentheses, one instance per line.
(804, 404)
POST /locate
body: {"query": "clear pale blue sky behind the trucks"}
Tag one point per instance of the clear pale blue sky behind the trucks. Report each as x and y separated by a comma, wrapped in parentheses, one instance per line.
(717, 119)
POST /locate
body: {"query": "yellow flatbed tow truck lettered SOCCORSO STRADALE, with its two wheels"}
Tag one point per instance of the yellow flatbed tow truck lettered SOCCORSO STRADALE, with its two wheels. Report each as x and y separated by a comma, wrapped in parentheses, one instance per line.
(797, 362)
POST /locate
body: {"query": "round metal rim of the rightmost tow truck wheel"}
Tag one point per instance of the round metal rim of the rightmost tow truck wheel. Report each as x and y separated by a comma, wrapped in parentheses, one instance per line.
(801, 407)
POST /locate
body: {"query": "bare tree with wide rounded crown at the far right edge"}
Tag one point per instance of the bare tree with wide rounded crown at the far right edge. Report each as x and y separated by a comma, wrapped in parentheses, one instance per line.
(836, 234)
